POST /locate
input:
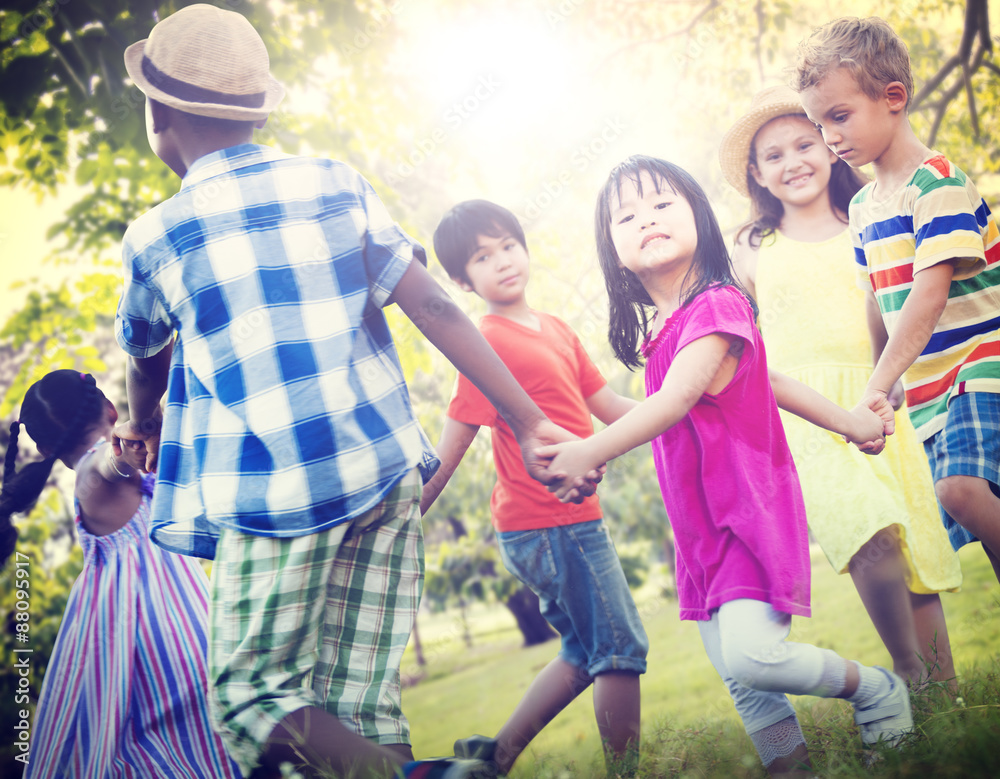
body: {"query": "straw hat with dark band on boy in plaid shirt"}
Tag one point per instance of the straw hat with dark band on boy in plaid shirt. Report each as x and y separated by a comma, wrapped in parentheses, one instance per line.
(207, 61)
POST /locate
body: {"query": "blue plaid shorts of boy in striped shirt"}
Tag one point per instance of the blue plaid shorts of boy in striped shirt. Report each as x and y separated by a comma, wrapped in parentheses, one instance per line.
(969, 445)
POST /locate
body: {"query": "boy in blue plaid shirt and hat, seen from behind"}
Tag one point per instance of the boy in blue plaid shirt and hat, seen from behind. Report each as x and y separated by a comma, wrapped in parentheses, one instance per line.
(288, 449)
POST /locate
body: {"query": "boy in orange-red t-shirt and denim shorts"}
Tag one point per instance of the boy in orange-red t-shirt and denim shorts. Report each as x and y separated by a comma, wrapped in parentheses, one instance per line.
(563, 553)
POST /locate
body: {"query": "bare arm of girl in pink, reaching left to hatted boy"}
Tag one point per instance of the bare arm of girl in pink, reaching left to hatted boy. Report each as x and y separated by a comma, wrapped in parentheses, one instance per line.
(694, 371)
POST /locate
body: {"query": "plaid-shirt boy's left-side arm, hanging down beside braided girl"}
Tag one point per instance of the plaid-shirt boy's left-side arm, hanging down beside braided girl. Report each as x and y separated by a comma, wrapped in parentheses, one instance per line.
(145, 382)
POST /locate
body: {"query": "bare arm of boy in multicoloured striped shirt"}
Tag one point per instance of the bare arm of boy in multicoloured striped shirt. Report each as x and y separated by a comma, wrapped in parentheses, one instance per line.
(913, 329)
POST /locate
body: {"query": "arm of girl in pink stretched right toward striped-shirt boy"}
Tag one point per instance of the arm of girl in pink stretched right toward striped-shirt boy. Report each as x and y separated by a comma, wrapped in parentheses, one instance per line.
(862, 426)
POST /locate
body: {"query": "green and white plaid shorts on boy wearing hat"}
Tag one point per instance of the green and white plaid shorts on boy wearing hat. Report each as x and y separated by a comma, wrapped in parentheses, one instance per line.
(316, 620)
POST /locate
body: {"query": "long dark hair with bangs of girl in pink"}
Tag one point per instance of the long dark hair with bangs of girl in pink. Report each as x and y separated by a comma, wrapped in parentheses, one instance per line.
(628, 301)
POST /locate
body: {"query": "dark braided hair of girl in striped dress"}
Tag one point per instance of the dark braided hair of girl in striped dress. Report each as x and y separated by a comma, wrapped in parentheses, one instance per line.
(57, 411)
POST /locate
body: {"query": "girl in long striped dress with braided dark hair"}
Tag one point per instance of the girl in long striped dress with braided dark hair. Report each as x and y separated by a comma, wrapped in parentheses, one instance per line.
(124, 692)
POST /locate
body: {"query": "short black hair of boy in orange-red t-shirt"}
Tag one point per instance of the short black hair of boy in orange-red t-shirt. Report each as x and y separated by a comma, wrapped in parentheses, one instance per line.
(455, 239)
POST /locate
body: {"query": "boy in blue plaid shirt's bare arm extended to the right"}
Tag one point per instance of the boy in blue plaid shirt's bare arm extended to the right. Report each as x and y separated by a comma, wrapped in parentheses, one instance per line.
(445, 325)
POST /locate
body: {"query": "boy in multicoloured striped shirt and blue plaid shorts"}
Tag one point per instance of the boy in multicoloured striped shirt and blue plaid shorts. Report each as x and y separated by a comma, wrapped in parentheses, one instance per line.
(929, 254)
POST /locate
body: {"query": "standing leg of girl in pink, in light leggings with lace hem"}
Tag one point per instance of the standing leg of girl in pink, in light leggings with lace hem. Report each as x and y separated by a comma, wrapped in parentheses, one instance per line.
(768, 717)
